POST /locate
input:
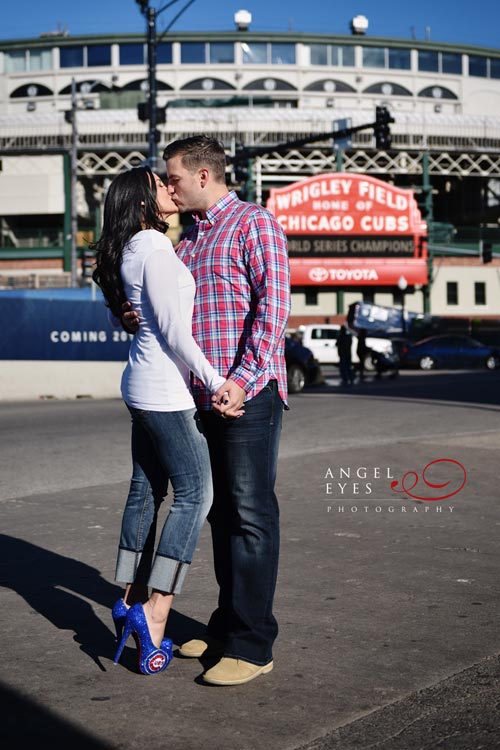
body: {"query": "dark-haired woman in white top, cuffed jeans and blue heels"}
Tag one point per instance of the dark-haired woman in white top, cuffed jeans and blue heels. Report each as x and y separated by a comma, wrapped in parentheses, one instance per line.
(135, 261)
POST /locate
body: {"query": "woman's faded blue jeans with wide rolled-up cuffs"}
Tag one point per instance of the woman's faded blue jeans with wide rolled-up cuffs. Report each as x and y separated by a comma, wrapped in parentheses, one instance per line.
(167, 447)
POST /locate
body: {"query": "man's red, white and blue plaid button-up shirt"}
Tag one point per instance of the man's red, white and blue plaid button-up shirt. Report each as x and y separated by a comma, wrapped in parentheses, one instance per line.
(239, 259)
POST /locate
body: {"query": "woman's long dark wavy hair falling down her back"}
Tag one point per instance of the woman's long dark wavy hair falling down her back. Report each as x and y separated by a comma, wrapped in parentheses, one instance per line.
(130, 206)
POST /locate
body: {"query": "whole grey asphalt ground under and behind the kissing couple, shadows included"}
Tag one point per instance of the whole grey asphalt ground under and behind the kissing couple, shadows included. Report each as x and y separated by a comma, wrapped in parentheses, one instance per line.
(388, 605)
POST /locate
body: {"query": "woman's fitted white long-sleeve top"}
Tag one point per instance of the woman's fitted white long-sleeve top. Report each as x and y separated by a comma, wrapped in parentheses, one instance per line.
(163, 351)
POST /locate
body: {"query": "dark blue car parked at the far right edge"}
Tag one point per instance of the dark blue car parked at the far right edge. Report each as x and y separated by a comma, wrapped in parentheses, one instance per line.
(449, 351)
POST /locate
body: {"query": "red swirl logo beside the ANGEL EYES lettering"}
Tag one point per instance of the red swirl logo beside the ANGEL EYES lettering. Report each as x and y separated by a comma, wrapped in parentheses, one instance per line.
(412, 481)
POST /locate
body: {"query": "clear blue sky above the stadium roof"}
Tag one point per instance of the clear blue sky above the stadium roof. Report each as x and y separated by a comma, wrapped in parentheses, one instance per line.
(448, 20)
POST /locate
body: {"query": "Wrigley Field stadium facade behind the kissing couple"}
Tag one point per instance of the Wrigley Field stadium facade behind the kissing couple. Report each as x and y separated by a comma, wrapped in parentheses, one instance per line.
(256, 89)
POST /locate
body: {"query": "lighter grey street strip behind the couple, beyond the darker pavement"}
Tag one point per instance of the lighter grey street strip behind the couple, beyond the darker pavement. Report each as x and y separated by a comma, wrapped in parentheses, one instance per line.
(83, 443)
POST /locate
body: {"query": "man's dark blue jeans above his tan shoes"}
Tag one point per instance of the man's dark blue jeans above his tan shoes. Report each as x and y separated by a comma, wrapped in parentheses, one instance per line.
(245, 525)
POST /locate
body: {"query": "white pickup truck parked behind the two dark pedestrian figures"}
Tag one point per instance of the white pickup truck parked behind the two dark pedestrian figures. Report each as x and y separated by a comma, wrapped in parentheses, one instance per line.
(321, 339)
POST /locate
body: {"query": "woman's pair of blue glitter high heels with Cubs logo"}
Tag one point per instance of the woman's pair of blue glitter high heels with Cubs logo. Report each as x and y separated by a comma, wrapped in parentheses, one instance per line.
(150, 658)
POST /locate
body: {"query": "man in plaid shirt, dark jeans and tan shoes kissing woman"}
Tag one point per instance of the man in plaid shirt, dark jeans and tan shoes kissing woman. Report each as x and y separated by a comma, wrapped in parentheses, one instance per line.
(237, 253)
